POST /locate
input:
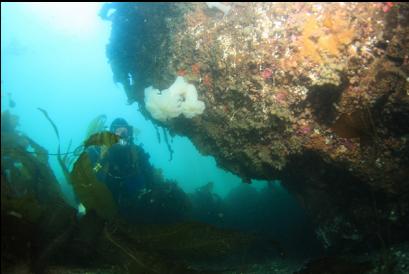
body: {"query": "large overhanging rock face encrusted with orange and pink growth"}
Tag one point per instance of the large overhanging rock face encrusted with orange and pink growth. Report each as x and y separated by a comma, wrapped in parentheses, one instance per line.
(314, 94)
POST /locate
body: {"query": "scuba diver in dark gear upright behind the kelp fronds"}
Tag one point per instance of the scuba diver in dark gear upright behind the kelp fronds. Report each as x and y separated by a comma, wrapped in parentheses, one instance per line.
(120, 167)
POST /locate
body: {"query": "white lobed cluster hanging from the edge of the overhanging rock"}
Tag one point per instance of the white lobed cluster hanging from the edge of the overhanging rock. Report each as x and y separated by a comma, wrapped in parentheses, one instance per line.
(179, 98)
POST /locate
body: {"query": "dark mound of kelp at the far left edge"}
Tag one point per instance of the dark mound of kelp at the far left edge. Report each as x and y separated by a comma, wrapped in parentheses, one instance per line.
(33, 208)
